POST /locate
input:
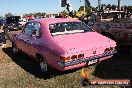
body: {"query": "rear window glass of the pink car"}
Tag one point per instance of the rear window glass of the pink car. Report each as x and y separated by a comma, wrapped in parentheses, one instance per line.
(68, 28)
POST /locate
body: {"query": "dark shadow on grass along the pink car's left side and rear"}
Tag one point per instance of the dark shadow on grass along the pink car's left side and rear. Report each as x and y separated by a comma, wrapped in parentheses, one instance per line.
(32, 66)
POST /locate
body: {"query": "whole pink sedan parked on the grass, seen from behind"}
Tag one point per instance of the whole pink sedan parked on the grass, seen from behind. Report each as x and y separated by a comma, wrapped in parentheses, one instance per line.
(62, 43)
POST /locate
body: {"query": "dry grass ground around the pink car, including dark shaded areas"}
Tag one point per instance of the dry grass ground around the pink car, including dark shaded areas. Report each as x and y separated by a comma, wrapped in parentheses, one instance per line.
(22, 72)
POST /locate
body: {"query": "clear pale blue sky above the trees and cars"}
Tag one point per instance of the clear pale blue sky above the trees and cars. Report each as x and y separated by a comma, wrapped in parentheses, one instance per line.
(19, 7)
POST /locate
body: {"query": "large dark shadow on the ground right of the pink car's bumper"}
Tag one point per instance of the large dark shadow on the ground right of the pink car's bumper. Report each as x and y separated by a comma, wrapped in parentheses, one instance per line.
(117, 67)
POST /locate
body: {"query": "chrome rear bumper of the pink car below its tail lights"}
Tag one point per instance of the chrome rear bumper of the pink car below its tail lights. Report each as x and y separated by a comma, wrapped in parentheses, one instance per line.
(79, 61)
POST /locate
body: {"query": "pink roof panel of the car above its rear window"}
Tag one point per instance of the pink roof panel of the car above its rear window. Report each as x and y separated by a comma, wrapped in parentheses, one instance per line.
(55, 20)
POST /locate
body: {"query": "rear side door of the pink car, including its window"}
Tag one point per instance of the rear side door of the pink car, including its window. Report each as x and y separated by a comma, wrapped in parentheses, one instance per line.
(34, 40)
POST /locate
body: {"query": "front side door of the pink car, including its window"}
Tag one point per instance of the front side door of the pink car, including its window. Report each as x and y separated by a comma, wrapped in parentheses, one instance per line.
(23, 38)
